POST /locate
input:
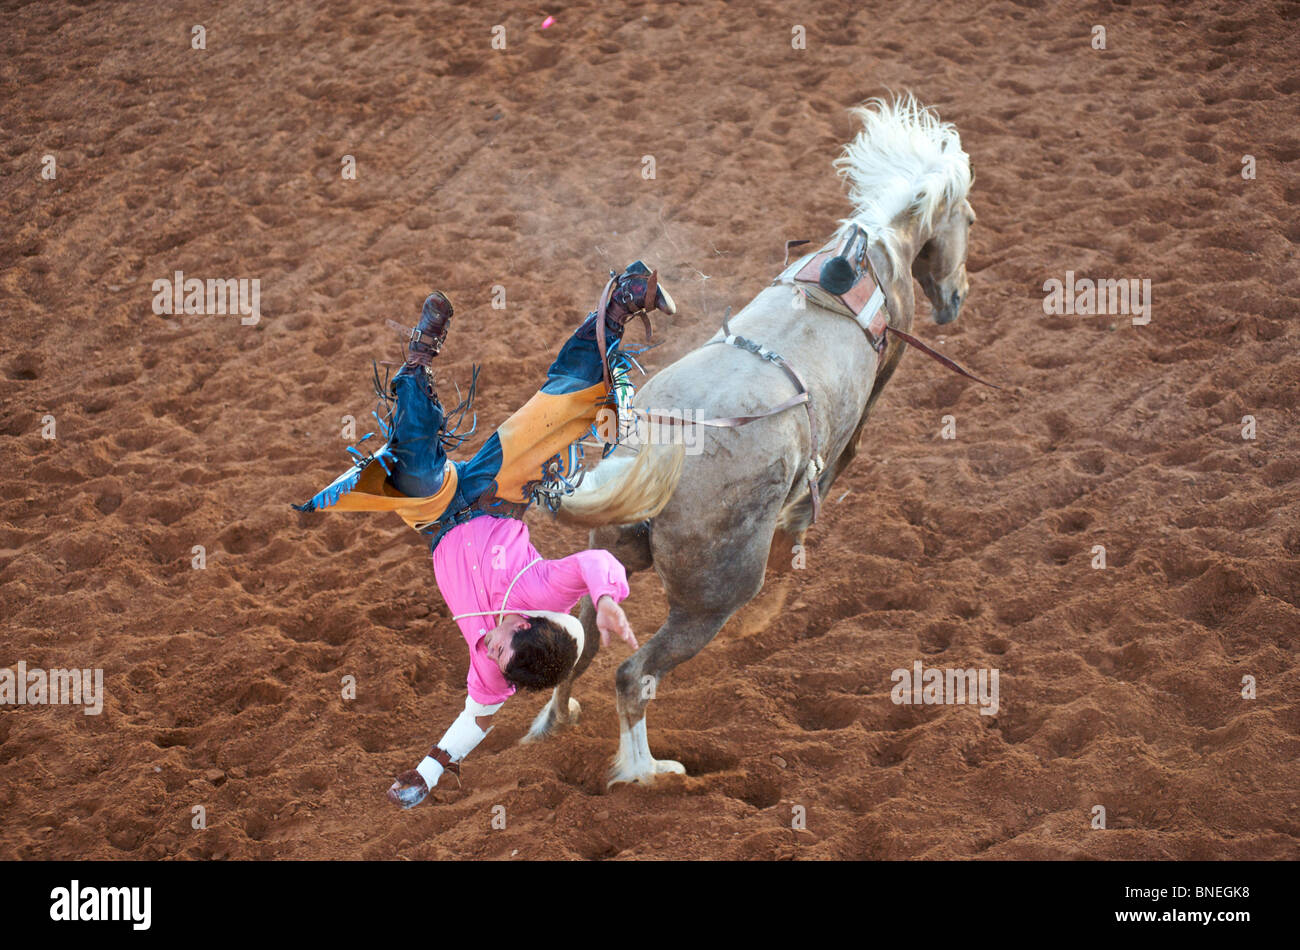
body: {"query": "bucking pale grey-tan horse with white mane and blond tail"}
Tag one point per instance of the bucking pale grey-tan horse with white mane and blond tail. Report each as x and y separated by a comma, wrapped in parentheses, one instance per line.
(708, 523)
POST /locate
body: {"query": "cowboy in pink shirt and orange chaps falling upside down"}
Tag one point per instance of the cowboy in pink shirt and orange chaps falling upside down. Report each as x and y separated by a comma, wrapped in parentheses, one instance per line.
(512, 605)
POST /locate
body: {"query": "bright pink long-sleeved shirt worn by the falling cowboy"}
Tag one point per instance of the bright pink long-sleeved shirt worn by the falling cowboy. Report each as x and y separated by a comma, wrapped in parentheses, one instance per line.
(475, 563)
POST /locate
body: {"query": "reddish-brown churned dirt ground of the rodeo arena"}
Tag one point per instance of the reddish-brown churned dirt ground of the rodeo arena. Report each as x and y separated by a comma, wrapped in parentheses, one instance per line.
(523, 168)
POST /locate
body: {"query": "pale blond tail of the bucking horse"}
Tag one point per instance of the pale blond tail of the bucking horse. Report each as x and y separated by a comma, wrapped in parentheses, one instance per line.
(625, 491)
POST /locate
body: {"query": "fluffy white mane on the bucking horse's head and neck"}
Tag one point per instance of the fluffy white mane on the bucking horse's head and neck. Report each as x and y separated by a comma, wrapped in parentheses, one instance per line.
(905, 160)
